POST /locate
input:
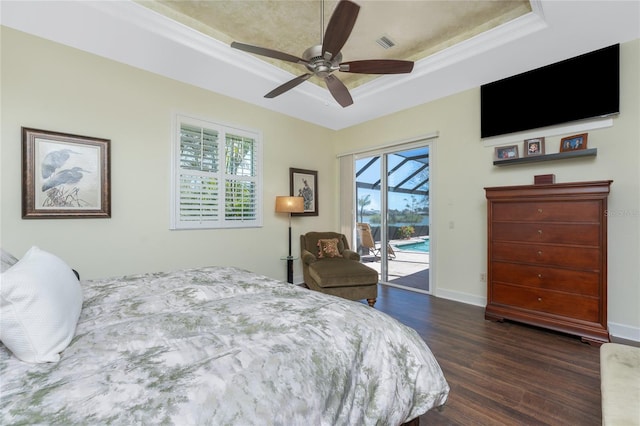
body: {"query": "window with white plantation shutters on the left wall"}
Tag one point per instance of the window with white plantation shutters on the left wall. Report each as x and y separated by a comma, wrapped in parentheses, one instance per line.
(217, 173)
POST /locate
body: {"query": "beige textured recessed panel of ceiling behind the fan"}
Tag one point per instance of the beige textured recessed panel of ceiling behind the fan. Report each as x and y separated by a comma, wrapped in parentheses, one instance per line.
(418, 28)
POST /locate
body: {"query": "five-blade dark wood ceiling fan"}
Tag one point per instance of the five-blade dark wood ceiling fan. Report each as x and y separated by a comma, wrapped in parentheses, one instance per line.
(322, 60)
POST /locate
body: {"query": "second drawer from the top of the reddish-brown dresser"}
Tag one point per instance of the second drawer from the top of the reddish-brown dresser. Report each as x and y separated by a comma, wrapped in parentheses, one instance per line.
(575, 233)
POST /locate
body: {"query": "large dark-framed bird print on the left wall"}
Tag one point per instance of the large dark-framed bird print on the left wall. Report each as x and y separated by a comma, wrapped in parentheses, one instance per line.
(65, 175)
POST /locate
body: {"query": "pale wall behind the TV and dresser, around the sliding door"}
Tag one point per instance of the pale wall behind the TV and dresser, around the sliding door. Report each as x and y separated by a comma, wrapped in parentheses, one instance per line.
(463, 166)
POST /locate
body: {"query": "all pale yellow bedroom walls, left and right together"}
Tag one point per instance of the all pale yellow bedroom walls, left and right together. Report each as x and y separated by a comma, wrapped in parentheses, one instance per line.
(52, 87)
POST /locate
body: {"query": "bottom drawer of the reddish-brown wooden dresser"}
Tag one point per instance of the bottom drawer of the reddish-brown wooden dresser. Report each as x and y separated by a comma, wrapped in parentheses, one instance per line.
(539, 300)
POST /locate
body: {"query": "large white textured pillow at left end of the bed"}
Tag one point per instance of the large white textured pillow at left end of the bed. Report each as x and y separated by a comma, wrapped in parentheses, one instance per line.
(40, 304)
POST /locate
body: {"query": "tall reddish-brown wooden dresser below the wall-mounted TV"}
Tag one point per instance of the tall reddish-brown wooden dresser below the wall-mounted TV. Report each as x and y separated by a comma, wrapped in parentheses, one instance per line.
(547, 257)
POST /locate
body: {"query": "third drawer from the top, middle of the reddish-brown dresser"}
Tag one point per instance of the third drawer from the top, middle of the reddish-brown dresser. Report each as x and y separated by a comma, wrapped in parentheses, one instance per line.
(573, 257)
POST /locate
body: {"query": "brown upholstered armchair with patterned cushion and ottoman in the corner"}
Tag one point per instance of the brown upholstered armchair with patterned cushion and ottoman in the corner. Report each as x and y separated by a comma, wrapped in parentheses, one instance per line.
(330, 266)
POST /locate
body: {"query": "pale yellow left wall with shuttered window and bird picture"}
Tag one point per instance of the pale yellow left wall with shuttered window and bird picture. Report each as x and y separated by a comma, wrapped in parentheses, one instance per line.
(53, 87)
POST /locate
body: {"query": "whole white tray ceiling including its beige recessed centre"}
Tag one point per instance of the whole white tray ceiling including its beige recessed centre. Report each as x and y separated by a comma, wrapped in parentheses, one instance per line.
(457, 45)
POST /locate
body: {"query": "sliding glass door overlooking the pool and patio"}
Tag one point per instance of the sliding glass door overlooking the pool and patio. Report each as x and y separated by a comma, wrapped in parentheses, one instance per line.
(392, 217)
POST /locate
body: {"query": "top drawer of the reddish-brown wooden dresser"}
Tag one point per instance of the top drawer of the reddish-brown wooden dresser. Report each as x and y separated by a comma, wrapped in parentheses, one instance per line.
(551, 211)
